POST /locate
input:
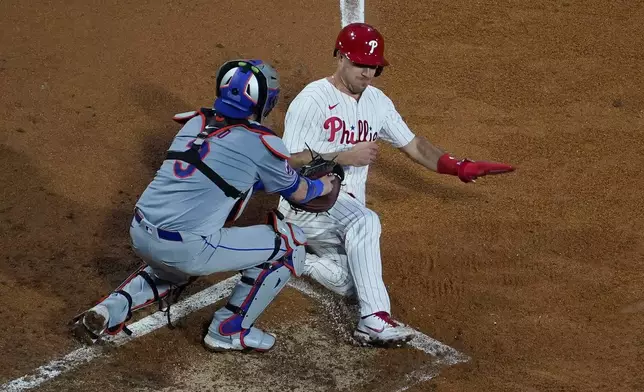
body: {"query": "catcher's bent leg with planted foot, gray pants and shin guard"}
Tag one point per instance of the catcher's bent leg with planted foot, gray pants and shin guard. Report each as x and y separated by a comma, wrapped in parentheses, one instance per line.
(266, 255)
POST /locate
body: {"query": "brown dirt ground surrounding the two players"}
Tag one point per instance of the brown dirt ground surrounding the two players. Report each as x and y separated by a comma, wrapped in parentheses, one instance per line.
(536, 275)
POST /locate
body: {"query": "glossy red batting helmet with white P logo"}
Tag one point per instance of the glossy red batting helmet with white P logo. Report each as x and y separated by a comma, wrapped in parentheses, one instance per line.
(361, 44)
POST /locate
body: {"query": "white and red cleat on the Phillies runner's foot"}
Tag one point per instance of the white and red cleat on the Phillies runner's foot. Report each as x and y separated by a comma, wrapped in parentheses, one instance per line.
(378, 329)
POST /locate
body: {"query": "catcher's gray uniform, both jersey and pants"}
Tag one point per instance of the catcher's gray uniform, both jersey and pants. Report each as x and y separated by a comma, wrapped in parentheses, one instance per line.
(178, 225)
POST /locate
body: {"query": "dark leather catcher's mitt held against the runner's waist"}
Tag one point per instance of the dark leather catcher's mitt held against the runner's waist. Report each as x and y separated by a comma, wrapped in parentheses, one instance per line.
(316, 168)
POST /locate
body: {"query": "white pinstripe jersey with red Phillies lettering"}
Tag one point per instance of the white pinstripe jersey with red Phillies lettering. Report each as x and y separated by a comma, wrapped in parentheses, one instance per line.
(329, 120)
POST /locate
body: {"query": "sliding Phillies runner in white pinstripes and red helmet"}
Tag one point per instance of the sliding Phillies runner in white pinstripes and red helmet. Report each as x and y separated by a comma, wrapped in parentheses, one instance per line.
(343, 116)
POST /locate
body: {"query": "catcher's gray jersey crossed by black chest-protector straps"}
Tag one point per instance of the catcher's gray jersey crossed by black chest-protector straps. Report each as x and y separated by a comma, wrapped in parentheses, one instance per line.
(181, 198)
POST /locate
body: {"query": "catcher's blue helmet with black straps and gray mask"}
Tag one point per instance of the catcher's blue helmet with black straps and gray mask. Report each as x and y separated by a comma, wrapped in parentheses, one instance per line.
(246, 87)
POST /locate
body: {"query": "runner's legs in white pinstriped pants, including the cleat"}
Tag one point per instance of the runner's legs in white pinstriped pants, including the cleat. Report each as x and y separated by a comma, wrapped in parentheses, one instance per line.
(351, 233)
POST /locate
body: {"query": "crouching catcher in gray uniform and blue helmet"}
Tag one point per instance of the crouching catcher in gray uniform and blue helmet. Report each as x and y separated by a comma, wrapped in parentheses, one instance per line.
(215, 162)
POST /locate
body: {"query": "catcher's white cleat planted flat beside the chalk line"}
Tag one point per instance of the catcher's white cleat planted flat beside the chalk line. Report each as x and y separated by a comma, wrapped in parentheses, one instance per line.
(253, 339)
